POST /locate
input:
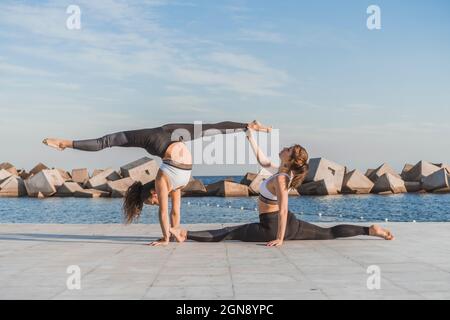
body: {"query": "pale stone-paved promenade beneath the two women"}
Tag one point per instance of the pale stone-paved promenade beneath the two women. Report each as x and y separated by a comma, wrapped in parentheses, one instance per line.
(116, 264)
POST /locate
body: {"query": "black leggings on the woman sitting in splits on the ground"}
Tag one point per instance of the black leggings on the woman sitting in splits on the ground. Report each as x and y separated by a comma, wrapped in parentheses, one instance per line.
(266, 230)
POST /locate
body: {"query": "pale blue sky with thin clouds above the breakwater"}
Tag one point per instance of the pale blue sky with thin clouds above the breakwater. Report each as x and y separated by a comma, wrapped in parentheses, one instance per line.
(311, 69)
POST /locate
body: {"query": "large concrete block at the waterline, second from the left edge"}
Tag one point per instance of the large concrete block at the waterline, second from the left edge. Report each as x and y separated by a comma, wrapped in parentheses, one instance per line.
(44, 182)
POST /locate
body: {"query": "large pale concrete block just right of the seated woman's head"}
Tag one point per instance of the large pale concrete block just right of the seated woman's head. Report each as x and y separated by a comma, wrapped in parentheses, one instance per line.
(321, 169)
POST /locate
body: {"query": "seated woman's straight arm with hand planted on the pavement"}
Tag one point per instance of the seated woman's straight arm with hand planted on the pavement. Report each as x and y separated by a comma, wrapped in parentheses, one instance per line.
(281, 186)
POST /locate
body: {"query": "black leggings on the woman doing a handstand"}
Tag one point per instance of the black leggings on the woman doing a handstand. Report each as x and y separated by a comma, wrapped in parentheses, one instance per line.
(157, 140)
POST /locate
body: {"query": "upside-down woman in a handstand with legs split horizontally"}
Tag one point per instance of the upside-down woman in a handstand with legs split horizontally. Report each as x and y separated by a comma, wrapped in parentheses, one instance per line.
(174, 173)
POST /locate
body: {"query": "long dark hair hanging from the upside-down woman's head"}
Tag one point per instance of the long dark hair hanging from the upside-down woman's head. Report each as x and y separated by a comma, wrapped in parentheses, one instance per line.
(134, 200)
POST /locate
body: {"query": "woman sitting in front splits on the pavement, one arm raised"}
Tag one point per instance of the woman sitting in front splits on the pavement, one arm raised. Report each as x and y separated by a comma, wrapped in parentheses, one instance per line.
(276, 222)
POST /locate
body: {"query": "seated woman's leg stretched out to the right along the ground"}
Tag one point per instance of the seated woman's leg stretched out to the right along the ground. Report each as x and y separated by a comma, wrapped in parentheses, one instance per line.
(309, 231)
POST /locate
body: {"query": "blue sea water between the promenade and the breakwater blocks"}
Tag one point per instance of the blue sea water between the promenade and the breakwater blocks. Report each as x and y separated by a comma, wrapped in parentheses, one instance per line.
(342, 208)
